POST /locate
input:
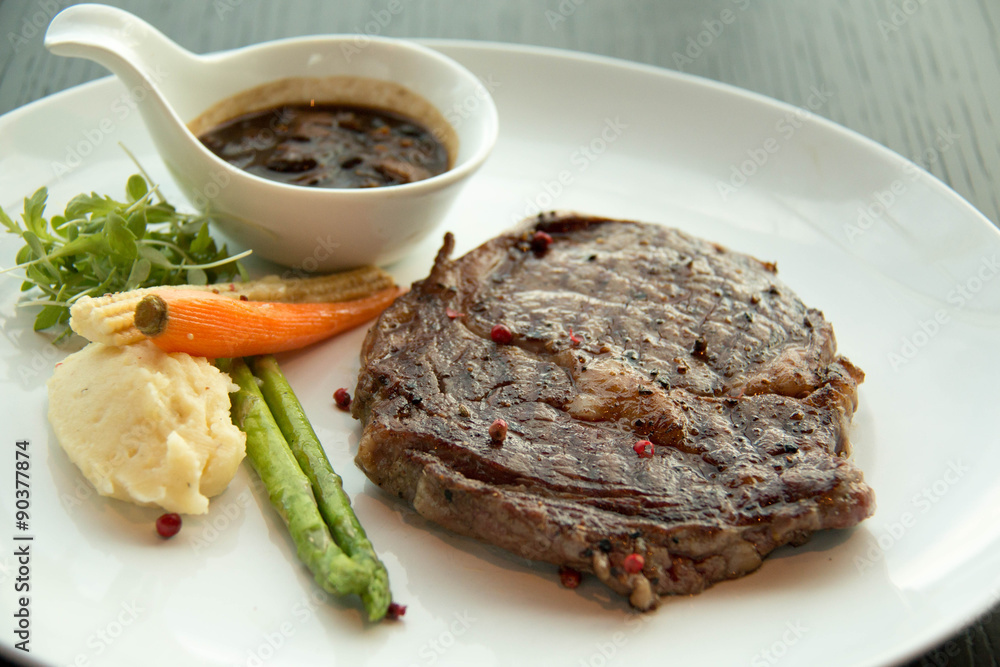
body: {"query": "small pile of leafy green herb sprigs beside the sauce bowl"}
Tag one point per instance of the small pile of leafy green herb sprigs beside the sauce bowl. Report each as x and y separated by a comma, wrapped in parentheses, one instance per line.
(99, 245)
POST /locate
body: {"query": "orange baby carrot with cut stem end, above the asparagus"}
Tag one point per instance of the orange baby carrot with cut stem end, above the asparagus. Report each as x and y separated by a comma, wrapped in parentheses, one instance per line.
(209, 325)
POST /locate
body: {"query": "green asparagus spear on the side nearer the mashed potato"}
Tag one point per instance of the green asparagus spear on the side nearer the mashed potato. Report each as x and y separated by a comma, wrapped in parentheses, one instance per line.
(289, 488)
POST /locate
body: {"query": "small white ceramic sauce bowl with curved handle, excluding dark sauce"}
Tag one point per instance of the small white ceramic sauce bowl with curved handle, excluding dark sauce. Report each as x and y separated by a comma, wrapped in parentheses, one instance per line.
(181, 94)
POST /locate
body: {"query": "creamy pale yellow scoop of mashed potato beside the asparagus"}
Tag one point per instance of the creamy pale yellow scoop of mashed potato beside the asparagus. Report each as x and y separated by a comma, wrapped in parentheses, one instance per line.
(146, 426)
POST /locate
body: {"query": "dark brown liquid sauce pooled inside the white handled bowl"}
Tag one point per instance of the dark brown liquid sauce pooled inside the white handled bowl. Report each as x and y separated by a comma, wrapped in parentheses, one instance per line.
(329, 146)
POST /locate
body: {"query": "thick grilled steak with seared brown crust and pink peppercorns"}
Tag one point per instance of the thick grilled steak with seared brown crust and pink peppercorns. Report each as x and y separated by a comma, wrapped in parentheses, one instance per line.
(621, 332)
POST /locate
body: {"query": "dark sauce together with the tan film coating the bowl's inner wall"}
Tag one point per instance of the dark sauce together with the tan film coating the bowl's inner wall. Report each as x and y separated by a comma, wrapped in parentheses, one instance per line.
(338, 132)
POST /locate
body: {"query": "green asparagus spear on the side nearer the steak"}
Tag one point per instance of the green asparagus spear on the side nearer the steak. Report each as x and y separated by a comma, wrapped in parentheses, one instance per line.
(334, 504)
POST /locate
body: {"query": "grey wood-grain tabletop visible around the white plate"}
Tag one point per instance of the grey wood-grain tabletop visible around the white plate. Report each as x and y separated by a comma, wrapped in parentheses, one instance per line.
(914, 75)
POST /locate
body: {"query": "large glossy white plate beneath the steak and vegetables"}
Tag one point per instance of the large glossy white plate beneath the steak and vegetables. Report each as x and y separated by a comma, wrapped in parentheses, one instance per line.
(903, 267)
